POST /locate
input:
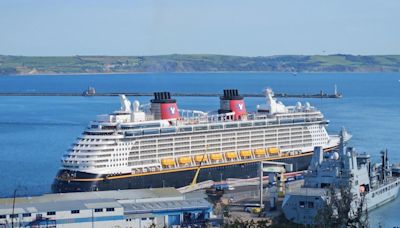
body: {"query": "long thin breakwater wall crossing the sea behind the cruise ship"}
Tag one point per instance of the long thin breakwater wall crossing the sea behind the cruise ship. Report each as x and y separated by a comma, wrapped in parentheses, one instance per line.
(147, 94)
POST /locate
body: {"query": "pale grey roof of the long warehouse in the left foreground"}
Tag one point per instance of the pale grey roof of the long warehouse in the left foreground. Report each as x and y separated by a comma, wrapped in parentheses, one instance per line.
(132, 201)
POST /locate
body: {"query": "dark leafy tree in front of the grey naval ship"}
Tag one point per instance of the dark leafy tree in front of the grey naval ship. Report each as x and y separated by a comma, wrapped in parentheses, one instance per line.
(342, 209)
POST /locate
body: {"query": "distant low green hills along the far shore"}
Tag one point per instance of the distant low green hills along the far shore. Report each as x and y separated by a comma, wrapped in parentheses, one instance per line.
(11, 65)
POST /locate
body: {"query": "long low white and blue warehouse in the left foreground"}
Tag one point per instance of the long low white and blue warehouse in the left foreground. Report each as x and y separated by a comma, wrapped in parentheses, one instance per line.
(137, 208)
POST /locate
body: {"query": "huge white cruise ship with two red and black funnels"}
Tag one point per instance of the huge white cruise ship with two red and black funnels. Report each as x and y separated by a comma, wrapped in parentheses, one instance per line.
(159, 145)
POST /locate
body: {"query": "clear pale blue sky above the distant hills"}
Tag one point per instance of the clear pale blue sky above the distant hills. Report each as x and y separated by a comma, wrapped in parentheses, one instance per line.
(232, 27)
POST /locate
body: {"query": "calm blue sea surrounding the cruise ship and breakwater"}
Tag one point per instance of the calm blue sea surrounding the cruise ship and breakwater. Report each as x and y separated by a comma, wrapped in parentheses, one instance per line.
(35, 131)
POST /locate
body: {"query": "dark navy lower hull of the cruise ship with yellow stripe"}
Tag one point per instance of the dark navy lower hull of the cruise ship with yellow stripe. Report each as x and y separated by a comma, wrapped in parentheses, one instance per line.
(83, 182)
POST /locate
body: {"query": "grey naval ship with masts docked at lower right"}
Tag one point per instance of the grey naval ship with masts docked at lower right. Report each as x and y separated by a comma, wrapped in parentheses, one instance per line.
(344, 169)
